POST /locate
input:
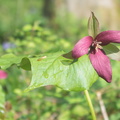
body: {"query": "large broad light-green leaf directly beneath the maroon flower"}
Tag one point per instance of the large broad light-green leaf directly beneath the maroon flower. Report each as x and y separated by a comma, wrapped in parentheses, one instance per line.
(78, 75)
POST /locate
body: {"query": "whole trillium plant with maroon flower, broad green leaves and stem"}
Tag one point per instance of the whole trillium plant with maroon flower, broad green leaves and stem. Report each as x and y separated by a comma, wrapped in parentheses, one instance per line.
(73, 71)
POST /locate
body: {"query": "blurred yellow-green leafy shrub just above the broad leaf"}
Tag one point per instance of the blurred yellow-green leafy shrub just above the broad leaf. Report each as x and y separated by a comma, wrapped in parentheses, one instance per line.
(34, 39)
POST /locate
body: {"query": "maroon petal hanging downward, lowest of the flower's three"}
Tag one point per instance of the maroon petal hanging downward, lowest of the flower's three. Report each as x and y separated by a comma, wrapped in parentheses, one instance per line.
(101, 64)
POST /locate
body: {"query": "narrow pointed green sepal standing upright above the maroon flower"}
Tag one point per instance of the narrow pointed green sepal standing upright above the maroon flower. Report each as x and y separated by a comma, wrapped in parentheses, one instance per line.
(93, 25)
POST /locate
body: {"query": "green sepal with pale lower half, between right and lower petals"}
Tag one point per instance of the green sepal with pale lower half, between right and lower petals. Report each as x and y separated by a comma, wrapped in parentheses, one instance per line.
(112, 51)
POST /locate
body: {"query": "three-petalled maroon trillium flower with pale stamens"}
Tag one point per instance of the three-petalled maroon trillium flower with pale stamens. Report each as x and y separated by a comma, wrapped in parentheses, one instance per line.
(93, 47)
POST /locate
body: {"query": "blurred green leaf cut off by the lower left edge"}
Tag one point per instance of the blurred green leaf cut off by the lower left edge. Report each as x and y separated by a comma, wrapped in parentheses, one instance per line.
(2, 101)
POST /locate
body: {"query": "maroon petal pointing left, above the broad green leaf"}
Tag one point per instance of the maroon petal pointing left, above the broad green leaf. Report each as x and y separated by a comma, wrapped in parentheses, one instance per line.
(82, 47)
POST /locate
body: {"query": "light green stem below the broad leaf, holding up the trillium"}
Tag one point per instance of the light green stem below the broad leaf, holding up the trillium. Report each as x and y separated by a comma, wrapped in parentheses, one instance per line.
(90, 104)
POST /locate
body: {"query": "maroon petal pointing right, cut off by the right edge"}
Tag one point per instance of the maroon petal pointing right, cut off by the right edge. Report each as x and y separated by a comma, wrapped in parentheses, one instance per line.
(109, 36)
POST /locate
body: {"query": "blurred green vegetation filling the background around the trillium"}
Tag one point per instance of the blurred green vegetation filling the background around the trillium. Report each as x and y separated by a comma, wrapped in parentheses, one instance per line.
(34, 27)
